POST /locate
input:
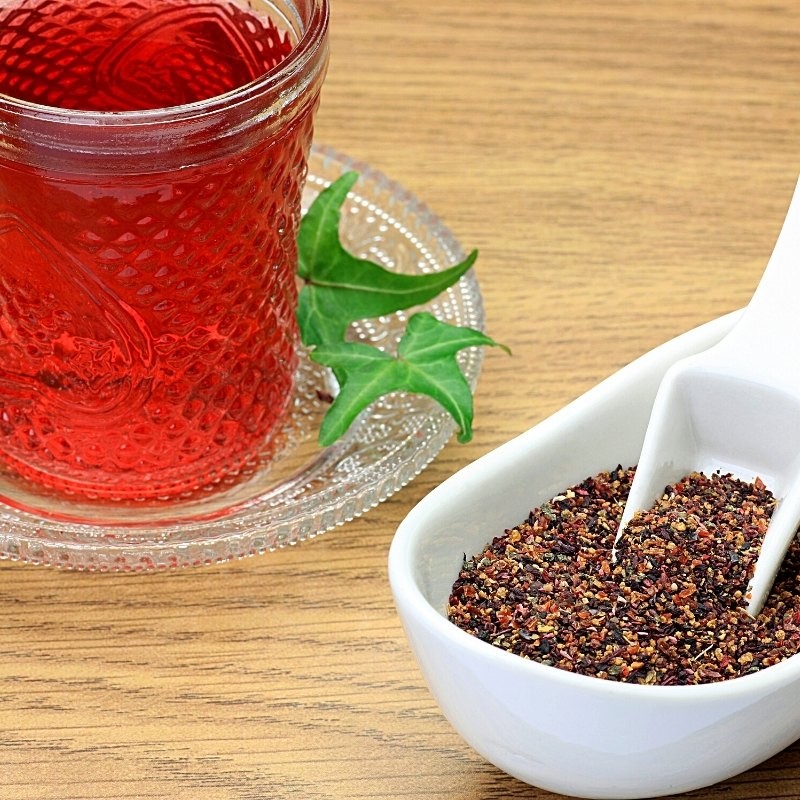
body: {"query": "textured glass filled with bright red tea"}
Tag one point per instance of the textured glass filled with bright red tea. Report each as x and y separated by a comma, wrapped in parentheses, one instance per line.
(152, 158)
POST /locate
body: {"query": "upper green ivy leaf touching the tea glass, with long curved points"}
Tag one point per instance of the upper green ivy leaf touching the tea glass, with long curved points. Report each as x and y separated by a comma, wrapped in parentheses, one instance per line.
(339, 288)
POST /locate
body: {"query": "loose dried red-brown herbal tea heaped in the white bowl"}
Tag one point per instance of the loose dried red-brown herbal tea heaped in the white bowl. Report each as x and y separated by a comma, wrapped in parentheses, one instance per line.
(670, 610)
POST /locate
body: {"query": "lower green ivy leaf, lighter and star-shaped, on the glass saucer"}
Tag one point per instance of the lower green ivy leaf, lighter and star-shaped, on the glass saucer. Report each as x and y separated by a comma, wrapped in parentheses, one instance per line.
(425, 364)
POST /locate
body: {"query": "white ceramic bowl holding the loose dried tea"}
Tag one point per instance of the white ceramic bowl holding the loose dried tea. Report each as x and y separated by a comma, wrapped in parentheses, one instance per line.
(574, 734)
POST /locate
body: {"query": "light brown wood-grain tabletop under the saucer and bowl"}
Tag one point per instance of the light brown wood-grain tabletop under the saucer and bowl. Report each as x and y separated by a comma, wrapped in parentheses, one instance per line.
(624, 168)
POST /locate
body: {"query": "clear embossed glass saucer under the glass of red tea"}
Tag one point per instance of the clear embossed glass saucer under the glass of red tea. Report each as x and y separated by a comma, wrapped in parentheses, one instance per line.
(294, 490)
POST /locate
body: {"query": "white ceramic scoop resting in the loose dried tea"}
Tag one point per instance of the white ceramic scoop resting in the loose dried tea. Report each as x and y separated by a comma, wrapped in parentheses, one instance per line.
(736, 408)
